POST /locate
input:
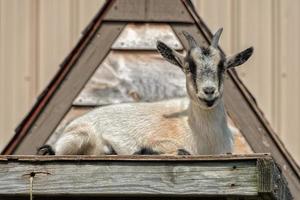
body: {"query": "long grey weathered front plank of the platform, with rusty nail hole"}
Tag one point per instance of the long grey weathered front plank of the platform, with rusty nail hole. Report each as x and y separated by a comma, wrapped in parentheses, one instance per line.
(131, 178)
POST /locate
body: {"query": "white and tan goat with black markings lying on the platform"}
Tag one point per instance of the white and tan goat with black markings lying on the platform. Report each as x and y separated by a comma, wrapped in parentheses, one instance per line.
(196, 125)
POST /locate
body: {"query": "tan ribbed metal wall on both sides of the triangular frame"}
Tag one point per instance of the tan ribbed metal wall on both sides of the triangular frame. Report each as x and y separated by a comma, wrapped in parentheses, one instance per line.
(35, 36)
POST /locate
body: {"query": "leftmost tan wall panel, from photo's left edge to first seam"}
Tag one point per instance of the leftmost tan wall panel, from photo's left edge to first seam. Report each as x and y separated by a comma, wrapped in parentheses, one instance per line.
(17, 63)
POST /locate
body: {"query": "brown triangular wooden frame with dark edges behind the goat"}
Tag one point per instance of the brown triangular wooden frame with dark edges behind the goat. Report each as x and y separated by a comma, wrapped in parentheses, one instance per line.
(97, 39)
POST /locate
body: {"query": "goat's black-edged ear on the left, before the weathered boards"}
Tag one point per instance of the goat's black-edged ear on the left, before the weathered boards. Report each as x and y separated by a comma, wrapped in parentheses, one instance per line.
(170, 54)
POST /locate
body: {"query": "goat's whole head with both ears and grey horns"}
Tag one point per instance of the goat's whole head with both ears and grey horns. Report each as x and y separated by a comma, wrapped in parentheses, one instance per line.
(204, 68)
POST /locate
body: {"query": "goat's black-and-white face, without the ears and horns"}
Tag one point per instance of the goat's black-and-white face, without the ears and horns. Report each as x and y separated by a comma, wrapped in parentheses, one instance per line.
(206, 69)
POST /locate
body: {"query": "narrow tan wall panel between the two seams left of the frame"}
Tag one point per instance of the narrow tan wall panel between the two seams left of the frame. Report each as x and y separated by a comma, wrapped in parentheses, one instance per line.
(54, 30)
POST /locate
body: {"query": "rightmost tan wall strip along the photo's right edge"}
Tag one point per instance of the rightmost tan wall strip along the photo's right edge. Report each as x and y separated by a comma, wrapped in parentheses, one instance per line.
(289, 66)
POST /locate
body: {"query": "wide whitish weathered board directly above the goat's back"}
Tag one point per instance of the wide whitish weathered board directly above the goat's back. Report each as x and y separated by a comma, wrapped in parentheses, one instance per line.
(132, 76)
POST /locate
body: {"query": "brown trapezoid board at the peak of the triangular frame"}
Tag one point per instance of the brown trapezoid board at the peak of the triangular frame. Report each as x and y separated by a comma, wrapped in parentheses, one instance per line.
(149, 11)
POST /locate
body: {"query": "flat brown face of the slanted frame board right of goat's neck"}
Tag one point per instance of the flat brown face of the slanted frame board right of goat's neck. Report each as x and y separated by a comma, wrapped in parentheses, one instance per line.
(255, 131)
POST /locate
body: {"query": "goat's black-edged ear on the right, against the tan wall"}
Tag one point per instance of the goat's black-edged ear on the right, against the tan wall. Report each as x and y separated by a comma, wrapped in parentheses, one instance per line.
(239, 58)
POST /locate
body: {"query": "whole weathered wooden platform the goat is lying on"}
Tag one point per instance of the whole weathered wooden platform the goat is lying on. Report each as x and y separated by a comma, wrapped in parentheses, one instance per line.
(254, 176)
